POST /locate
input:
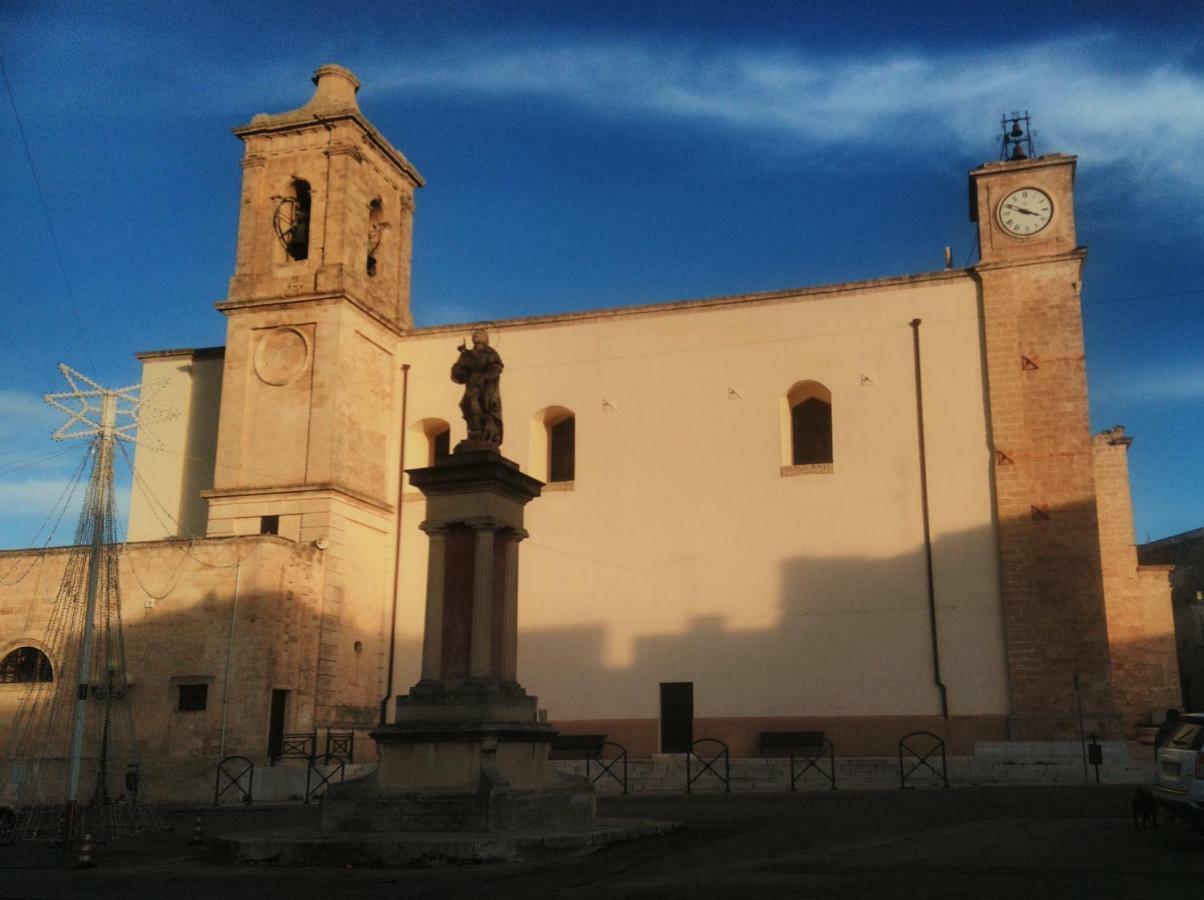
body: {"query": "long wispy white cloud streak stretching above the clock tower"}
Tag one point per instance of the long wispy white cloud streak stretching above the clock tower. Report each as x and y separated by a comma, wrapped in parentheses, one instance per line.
(1088, 94)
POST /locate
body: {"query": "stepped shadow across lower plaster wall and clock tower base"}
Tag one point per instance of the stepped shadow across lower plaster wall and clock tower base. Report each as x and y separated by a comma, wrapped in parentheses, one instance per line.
(852, 647)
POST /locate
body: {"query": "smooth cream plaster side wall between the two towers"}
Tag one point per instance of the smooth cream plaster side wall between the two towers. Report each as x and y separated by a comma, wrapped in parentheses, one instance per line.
(683, 554)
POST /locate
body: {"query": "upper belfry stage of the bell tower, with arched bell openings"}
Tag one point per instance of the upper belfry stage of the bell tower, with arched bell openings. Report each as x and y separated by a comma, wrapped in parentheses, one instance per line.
(327, 206)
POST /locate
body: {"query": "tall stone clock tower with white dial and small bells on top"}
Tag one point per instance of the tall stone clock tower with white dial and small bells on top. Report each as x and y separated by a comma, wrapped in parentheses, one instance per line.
(1030, 275)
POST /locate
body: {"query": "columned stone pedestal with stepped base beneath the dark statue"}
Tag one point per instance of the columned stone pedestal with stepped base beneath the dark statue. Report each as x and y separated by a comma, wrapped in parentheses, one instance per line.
(467, 753)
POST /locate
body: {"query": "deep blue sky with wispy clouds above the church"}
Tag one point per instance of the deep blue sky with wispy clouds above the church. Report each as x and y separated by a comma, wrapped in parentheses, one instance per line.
(598, 155)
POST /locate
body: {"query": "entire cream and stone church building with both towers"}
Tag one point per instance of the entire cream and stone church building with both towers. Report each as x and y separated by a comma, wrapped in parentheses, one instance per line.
(864, 508)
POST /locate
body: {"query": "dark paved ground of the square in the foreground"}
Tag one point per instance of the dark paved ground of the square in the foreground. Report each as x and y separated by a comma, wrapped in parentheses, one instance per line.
(981, 843)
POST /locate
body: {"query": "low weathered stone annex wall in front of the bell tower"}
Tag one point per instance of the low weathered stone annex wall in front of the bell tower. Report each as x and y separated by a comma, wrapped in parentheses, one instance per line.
(239, 615)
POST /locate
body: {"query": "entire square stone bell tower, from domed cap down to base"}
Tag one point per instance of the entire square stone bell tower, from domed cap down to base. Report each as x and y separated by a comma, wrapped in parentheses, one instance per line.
(308, 439)
